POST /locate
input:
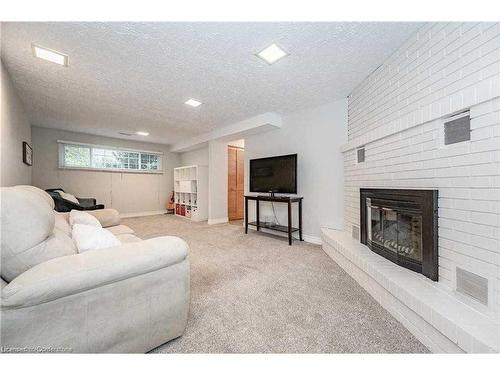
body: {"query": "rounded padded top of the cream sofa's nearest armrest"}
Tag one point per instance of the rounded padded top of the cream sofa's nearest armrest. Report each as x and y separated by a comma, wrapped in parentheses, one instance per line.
(77, 273)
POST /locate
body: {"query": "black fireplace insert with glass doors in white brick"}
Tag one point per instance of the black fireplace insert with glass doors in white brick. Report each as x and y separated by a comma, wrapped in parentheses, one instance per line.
(401, 225)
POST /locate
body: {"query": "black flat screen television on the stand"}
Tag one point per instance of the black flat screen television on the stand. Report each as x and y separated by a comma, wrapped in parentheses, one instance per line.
(277, 174)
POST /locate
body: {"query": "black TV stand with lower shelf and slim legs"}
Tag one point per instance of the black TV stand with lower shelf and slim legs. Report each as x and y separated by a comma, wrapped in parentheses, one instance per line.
(280, 228)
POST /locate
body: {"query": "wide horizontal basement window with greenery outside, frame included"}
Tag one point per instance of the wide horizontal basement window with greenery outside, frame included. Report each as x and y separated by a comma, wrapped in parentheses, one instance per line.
(74, 155)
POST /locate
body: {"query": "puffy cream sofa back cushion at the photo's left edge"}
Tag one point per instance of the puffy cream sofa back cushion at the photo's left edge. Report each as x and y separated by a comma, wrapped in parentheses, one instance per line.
(28, 237)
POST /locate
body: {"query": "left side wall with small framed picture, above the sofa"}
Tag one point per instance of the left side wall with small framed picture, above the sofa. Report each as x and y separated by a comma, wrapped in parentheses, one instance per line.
(15, 128)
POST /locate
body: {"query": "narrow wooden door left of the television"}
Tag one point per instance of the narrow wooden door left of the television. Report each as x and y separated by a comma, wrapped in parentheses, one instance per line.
(235, 183)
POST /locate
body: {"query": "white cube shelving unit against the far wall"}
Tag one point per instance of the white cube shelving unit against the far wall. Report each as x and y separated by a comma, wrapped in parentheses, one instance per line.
(191, 192)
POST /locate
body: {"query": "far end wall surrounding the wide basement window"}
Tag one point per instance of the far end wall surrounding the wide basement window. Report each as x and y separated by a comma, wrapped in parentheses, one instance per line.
(127, 192)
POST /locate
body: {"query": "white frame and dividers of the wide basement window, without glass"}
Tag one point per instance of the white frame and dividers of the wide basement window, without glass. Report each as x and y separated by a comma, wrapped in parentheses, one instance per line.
(62, 164)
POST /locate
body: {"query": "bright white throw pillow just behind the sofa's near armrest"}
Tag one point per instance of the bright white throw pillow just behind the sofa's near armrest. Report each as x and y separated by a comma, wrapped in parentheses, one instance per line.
(89, 237)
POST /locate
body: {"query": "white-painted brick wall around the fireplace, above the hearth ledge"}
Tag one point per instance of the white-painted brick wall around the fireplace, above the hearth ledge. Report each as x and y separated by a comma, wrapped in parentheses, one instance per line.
(397, 114)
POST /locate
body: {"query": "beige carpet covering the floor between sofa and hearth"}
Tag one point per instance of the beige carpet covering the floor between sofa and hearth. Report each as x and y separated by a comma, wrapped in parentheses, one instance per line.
(255, 294)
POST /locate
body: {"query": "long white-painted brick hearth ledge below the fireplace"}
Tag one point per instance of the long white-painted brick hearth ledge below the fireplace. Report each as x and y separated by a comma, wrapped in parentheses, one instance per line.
(435, 315)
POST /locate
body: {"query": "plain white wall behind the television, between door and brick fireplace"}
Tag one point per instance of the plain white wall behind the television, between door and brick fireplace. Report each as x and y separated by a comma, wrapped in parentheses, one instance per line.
(315, 135)
